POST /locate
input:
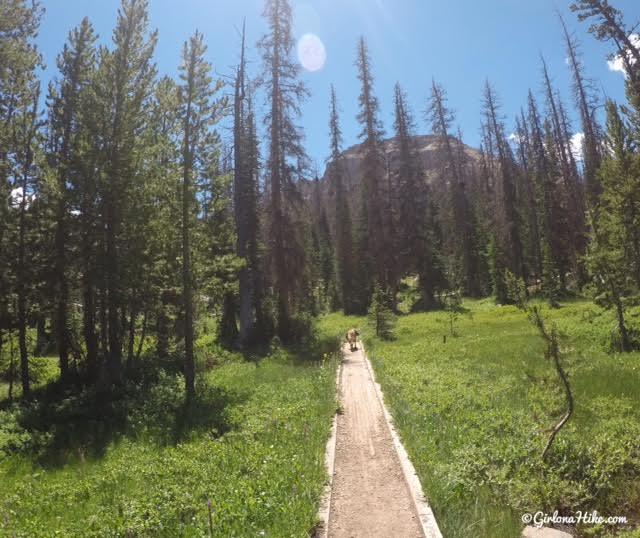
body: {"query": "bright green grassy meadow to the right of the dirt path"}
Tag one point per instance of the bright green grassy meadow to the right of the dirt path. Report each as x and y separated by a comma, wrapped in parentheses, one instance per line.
(474, 412)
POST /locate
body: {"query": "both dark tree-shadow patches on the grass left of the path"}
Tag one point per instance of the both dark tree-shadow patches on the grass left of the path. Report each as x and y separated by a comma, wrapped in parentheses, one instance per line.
(63, 424)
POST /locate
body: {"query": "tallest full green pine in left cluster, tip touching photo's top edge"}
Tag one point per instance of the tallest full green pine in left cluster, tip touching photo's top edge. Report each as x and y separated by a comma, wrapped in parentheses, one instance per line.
(125, 80)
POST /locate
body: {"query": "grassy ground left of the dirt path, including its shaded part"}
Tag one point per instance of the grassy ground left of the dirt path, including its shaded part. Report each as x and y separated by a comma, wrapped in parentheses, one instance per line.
(143, 465)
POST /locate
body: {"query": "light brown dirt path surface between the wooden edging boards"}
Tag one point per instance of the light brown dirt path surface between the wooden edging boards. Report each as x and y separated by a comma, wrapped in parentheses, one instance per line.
(370, 497)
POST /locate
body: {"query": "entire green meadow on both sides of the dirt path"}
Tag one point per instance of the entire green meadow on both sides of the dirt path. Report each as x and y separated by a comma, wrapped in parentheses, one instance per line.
(246, 458)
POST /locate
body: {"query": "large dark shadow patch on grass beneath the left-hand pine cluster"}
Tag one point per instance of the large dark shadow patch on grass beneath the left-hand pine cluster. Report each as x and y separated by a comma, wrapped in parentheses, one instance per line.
(67, 425)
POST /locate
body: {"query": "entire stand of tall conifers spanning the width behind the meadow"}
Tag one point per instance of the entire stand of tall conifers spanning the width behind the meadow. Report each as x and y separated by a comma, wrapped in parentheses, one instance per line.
(126, 219)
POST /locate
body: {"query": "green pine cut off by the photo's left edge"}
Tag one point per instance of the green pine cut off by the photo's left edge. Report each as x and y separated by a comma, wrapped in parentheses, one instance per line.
(19, 125)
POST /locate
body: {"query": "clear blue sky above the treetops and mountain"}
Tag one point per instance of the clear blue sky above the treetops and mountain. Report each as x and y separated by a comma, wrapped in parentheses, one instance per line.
(460, 43)
